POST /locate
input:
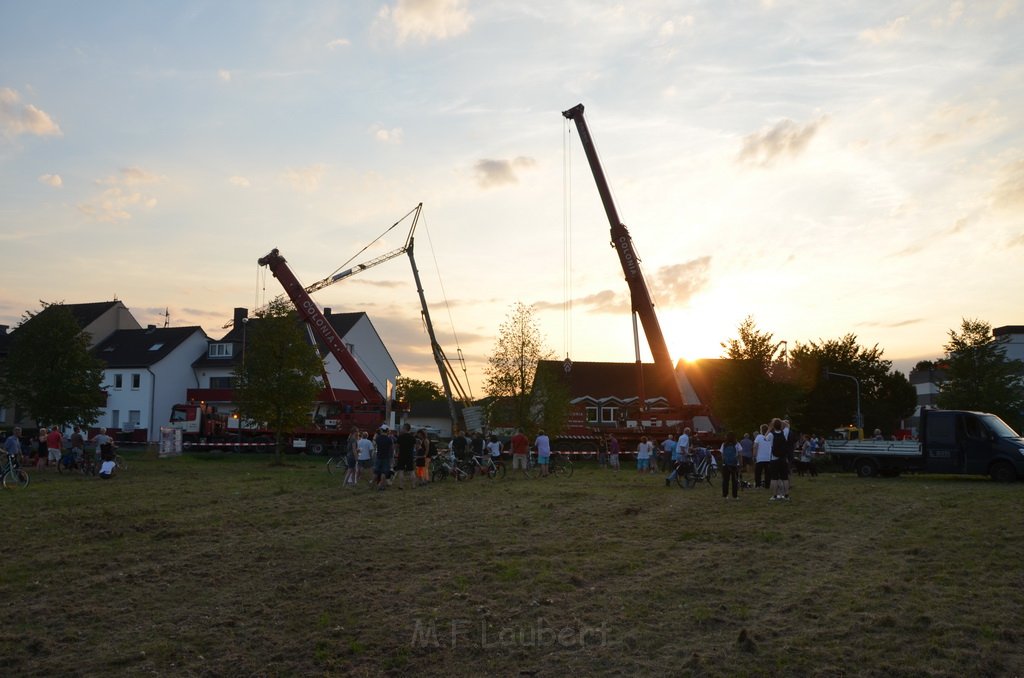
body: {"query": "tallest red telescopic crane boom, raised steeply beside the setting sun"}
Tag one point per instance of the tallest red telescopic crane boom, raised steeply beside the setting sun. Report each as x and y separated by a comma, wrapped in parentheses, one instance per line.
(641, 299)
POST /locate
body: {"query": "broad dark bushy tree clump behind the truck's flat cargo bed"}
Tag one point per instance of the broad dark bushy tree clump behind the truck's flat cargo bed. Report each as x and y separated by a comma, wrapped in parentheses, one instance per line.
(886, 397)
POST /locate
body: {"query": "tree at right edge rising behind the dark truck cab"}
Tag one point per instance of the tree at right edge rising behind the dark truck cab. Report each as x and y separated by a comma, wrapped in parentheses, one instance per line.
(979, 376)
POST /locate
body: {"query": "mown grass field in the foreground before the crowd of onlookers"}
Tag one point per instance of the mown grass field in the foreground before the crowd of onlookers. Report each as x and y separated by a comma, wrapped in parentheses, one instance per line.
(228, 566)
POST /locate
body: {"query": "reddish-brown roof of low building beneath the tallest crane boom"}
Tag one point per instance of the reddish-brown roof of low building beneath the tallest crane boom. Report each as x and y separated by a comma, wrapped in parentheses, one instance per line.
(609, 379)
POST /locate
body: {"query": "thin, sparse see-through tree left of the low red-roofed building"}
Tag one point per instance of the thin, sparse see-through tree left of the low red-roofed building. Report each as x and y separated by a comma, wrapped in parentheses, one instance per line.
(513, 366)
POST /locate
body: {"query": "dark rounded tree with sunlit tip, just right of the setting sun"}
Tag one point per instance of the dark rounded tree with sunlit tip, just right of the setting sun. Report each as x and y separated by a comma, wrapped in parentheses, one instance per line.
(754, 386)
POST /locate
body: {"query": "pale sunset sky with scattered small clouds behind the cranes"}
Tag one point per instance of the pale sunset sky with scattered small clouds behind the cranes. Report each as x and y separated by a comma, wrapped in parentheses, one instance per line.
(828, 168)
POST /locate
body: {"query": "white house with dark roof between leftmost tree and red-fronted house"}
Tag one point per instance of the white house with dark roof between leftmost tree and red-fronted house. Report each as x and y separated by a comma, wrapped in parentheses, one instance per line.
(148, 371)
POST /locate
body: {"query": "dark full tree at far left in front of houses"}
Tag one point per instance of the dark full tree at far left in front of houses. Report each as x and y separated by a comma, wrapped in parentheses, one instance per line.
(50, 371)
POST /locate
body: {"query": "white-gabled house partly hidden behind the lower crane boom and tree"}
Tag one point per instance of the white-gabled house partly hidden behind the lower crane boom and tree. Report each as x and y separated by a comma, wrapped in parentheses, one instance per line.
(215, 369)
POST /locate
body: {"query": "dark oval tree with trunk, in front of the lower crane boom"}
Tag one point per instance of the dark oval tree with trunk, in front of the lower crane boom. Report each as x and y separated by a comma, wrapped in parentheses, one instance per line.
(278, 379)
